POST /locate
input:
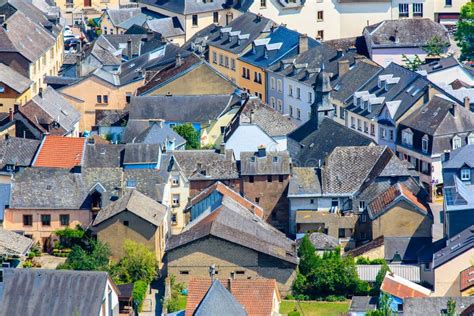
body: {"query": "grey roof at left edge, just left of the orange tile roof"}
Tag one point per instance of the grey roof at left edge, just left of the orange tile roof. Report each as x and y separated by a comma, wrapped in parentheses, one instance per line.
(17, 151)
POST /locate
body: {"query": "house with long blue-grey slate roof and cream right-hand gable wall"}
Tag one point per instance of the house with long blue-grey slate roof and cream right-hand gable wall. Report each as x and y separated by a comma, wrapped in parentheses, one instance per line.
(208, 114)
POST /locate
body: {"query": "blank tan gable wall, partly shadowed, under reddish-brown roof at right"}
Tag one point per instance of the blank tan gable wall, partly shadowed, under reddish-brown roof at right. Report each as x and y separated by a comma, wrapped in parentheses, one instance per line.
(402, 221)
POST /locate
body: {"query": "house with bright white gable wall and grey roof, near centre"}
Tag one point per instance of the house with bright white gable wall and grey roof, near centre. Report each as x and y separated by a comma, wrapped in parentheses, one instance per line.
(257, 125)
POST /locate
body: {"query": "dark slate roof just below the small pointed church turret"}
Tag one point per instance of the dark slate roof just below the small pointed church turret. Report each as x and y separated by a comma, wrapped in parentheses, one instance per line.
(317, 144)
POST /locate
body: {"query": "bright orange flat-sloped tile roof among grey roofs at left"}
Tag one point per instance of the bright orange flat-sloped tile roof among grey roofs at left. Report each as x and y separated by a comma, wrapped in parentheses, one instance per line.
(60, 152)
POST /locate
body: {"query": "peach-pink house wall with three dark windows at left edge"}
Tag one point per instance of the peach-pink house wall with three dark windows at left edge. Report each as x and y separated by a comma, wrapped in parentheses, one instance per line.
(13, 220)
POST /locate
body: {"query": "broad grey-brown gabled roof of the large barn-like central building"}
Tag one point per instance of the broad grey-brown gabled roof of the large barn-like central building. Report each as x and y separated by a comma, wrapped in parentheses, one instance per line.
(234, 223)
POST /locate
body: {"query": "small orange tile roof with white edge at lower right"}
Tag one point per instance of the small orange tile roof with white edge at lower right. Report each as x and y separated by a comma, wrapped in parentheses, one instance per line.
(402, 288)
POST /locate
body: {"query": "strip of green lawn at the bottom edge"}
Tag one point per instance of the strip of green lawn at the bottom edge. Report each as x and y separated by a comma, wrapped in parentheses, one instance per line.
(315, 308)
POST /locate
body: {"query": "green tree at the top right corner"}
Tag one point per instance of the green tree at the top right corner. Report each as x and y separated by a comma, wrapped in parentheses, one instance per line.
(464, 35)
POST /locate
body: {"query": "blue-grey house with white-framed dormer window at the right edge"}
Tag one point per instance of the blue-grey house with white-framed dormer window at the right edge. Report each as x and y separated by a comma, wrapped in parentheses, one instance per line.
(457, 185)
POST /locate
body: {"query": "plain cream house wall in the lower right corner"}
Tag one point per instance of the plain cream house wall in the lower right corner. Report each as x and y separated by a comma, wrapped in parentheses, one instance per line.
(447, 278)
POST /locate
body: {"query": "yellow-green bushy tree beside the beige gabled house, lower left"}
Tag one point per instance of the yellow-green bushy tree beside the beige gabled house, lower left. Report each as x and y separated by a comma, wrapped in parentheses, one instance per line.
(138, 263)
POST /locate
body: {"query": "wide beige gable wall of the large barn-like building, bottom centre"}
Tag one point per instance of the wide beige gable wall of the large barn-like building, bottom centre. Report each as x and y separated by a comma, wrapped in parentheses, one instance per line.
(196, 258)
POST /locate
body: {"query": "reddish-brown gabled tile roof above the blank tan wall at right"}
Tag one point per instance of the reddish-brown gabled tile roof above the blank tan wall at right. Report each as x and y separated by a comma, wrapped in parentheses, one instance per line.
(387, 199)
